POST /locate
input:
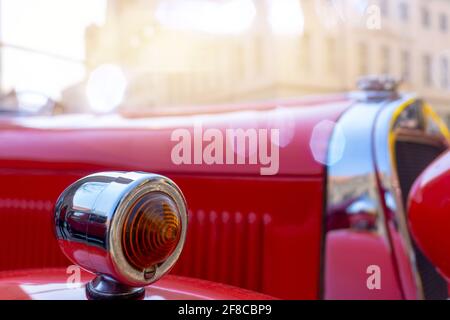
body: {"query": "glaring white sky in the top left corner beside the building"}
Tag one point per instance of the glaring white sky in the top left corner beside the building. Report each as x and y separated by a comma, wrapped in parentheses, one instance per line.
(44, 43)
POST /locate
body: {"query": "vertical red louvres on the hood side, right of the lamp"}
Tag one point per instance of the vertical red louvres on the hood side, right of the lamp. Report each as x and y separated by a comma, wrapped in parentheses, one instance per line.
(225, 247)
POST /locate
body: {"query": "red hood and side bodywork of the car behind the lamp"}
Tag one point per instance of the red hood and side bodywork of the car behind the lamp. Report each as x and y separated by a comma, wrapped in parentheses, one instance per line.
(263, 233)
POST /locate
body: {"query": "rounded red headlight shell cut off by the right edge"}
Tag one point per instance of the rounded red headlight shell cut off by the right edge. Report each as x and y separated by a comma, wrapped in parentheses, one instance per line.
(429, 213)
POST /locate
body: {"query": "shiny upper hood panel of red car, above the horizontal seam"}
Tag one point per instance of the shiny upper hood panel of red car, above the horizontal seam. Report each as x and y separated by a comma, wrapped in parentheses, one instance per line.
(144, 143)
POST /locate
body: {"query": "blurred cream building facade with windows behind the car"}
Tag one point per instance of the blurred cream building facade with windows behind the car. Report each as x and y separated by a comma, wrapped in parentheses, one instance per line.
(340, 41)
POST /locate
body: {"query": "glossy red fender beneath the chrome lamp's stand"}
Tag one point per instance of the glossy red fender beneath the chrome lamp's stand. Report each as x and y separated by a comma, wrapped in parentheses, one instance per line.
(58, 284)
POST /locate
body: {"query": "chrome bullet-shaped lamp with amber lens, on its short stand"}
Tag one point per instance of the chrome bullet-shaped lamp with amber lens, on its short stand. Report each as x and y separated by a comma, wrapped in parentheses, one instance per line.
(93, 221)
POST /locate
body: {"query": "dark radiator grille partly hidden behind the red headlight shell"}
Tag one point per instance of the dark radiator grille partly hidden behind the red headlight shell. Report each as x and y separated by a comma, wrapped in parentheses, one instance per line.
(412, 159)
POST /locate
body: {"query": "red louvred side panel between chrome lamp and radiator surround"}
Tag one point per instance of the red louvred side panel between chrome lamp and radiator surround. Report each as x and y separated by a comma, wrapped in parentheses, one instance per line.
(266, 239)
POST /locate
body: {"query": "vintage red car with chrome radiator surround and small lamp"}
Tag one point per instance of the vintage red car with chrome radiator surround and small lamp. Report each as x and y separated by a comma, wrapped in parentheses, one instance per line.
(318, 210)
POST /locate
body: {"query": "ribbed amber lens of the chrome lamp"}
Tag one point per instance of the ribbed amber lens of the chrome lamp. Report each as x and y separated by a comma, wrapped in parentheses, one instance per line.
(151, 230)
